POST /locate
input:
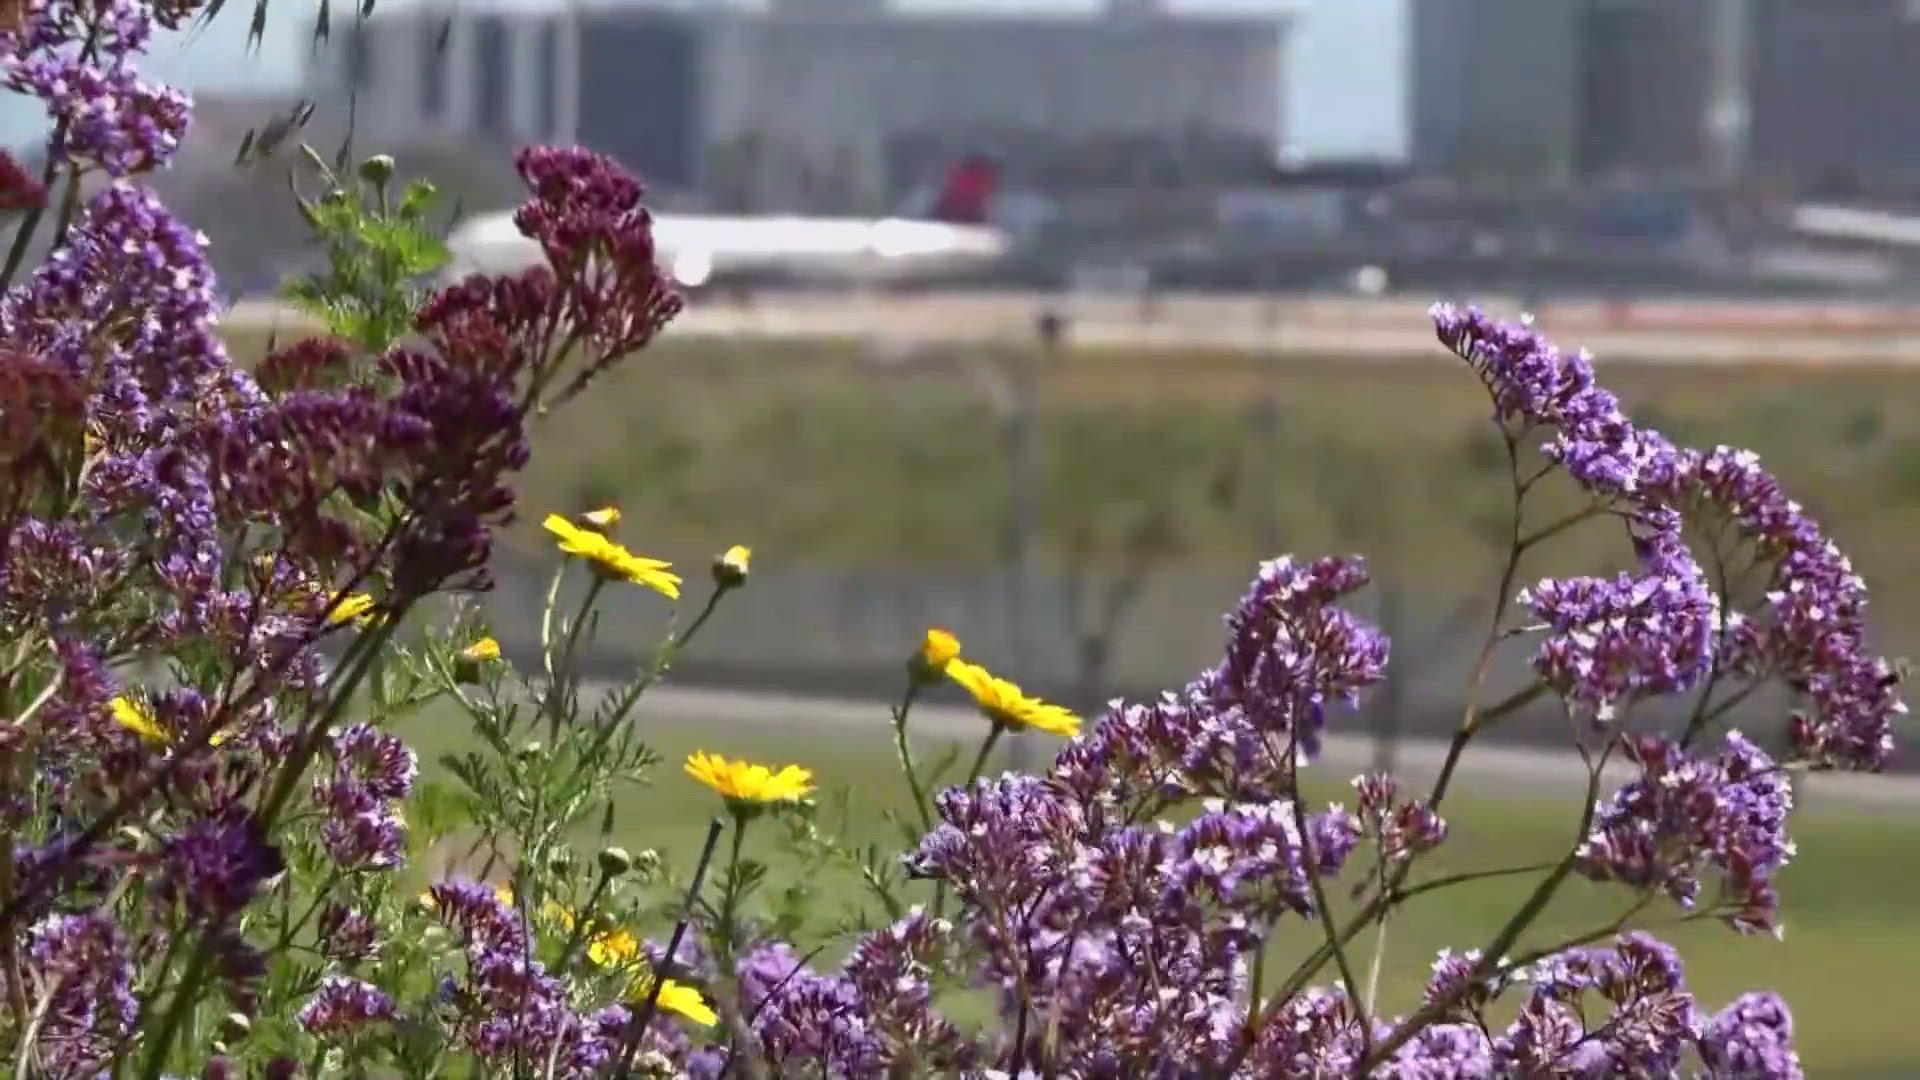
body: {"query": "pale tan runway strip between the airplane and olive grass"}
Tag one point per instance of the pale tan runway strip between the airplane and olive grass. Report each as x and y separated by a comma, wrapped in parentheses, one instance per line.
(1299, 328)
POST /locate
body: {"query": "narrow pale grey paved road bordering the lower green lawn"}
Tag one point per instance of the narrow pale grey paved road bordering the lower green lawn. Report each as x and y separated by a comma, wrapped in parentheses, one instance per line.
(1500, 768)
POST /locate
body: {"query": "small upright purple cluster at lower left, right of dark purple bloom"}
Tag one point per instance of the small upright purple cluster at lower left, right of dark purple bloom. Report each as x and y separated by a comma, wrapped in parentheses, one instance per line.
(372, 773)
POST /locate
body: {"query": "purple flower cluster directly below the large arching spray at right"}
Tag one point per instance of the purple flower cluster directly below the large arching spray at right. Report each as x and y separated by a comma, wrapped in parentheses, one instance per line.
(1691, 812)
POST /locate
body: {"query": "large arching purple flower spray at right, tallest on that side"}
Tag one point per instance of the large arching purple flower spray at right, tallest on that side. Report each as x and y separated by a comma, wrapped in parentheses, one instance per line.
(1664, 631)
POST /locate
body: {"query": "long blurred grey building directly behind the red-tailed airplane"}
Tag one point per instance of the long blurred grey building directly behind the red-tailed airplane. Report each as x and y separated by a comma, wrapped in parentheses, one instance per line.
(825, 105)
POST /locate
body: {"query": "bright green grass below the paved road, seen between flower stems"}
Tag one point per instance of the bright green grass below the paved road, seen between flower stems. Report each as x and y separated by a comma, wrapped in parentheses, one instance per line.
(1846, 964)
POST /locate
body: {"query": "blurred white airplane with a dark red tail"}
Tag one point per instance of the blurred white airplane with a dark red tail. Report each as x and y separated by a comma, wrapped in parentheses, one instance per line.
(704, 251)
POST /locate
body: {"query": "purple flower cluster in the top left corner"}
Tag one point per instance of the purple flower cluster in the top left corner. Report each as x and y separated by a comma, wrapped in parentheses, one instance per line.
(80, 62)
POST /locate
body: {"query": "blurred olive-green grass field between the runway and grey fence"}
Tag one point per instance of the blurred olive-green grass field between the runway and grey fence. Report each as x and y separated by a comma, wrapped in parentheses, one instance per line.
(832, 454)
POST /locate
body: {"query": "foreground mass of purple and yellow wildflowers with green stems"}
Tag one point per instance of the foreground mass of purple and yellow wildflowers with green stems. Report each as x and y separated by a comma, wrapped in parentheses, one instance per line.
(228, 595)
